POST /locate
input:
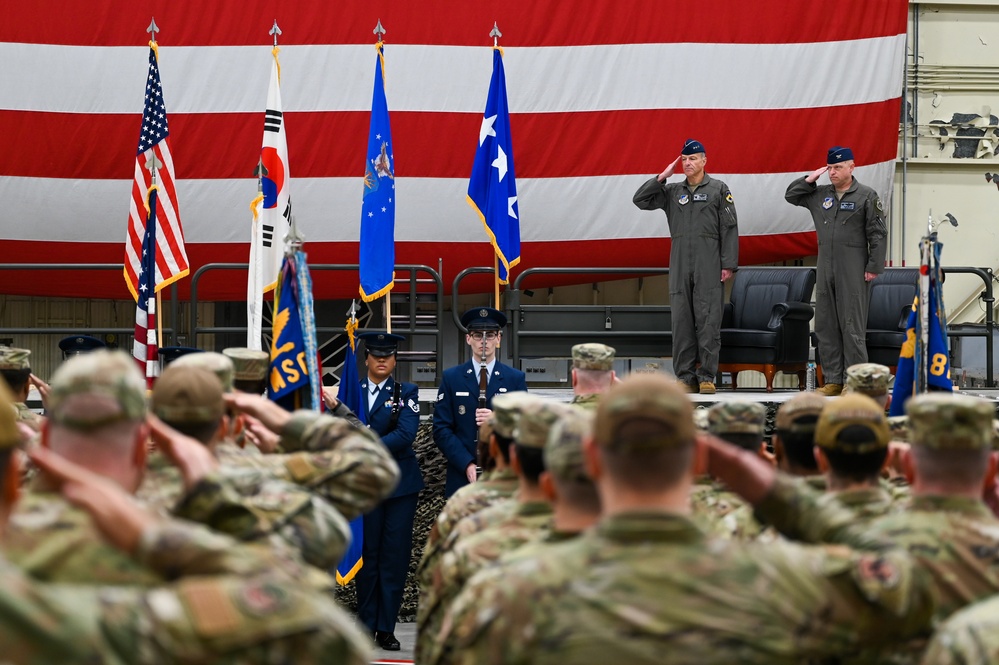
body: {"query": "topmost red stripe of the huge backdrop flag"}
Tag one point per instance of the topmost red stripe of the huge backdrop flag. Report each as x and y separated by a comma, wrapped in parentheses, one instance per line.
(523, 22)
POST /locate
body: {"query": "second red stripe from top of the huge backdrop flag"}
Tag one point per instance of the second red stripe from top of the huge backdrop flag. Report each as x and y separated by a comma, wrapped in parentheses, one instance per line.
(547, 145)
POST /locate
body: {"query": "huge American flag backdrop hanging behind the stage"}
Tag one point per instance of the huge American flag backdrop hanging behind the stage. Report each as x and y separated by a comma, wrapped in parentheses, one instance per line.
(602, 95)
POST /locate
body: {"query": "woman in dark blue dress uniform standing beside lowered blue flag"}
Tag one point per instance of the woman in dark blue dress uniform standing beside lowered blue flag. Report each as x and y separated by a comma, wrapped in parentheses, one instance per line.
(392, 410)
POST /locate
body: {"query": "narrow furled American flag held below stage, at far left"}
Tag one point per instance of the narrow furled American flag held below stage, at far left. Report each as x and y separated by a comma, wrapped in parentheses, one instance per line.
(145, 349)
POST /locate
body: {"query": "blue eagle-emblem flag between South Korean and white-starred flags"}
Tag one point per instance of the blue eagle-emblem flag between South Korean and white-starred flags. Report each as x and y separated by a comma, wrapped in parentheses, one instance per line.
(377, 247)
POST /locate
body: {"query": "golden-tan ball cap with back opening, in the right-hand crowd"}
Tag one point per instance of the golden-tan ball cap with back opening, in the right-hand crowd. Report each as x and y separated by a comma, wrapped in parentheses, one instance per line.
(848, 410)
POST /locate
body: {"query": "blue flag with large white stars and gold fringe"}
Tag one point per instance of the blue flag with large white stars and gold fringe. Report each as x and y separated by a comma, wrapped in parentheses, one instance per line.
(492, 189)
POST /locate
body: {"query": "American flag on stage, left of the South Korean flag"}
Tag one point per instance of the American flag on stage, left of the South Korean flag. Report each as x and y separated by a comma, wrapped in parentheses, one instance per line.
(171, 255)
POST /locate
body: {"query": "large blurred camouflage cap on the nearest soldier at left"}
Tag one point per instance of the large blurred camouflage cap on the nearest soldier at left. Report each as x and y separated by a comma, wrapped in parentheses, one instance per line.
(96, 389)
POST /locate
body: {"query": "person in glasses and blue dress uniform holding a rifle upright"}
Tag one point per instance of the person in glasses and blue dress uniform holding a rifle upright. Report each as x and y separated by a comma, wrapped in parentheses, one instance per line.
(457, 414)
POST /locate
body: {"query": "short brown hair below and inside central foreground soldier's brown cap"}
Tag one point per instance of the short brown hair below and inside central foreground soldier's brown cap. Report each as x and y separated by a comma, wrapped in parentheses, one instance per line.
(648, 469)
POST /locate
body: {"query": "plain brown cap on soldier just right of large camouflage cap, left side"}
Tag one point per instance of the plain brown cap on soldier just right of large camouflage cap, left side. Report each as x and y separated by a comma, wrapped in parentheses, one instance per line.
(187, 395)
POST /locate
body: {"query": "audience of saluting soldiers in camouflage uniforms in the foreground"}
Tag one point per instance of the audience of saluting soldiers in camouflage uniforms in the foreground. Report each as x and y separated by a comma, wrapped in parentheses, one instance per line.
(197, 523)
